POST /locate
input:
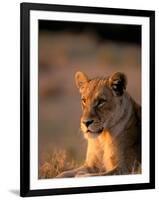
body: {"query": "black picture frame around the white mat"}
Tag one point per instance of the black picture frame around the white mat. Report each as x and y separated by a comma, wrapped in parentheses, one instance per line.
(25, 9)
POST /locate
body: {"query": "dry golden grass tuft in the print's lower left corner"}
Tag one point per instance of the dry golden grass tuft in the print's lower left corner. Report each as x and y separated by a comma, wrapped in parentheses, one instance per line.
(55, 163)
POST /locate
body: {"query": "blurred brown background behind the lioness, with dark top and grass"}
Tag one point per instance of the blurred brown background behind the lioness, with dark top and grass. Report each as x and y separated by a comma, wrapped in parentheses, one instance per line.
(67, 47)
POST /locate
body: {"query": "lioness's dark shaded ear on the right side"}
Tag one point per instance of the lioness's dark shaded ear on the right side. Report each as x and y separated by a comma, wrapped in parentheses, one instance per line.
(118, 83)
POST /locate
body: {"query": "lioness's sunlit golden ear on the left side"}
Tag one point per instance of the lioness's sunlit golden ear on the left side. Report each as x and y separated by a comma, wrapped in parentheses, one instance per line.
(80, 79)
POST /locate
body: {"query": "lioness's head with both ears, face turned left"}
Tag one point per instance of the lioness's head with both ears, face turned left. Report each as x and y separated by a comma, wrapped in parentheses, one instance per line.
(101, 100)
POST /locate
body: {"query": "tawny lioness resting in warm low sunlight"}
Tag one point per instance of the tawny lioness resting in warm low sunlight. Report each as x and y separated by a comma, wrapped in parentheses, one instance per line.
(111, 123)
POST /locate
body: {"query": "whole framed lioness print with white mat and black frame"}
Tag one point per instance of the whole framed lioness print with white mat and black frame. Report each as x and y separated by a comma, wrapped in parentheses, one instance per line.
(87, 99)
